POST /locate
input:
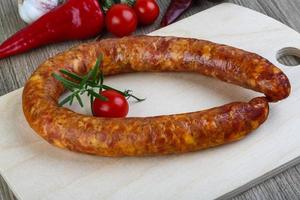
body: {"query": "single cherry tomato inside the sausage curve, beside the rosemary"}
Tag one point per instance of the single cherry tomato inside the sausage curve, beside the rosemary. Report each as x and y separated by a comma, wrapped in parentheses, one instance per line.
(116, 106)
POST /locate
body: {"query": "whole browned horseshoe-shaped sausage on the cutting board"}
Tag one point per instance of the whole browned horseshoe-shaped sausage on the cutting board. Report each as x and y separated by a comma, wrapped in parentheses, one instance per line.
(152, 135)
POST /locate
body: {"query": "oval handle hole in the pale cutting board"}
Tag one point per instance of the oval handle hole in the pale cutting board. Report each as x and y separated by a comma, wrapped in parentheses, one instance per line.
(289, 56)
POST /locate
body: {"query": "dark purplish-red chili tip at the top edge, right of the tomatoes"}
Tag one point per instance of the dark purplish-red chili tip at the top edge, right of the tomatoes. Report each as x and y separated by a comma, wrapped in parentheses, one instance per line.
(175, 9)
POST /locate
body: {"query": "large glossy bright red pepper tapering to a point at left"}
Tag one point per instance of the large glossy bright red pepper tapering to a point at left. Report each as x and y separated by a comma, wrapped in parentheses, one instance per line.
(73, 20)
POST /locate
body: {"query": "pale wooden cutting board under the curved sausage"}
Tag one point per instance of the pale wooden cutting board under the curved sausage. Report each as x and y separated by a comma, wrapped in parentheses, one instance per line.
(36, 170)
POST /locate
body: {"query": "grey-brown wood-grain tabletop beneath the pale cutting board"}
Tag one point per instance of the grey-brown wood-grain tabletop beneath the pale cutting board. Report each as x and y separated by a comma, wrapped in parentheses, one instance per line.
(281, 184)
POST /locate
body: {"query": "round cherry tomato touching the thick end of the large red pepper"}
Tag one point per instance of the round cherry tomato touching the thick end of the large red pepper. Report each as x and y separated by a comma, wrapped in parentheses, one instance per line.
(121, 20)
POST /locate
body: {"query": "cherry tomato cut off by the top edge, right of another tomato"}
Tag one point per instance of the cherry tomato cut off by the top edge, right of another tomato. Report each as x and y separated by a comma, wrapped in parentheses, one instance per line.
(147, 11)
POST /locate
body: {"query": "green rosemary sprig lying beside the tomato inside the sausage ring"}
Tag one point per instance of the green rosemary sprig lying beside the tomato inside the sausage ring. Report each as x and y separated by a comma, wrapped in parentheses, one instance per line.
(79, 85)
